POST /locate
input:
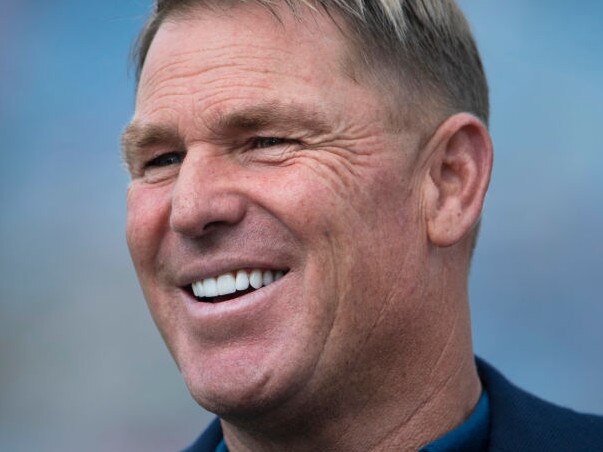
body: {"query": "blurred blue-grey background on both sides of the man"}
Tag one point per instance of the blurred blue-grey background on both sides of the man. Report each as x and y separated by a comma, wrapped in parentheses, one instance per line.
(81, 364)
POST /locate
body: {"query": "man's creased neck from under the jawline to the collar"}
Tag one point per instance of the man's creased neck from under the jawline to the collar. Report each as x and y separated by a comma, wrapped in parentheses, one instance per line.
(422, 392)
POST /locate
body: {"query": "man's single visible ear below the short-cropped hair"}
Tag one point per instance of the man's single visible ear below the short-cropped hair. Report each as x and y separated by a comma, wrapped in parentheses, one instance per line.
(459, 167)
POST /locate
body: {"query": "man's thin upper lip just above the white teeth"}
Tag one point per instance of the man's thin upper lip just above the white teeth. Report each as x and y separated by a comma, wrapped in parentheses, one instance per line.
(199, 270)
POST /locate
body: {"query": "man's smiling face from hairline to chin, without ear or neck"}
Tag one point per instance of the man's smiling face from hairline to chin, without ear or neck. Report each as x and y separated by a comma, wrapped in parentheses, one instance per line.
(254, 150)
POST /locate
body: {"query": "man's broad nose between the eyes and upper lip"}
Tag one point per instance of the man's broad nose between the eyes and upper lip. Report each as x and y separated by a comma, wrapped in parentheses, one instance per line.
(205, 196)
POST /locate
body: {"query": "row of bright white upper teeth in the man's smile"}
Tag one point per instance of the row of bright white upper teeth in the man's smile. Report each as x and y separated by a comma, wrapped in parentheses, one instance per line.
(228, 283)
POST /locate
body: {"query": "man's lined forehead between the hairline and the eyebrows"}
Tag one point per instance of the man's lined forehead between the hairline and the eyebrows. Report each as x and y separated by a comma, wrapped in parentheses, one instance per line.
(242, 46)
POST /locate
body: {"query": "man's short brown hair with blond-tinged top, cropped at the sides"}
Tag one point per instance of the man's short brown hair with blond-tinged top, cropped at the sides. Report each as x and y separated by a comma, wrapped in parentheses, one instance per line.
(423, 48)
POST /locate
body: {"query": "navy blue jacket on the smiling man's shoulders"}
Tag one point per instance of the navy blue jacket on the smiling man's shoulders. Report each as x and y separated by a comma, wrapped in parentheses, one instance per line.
(519, 422)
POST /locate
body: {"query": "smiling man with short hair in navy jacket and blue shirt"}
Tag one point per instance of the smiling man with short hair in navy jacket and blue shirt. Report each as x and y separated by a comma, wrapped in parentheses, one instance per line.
(307, 181)
